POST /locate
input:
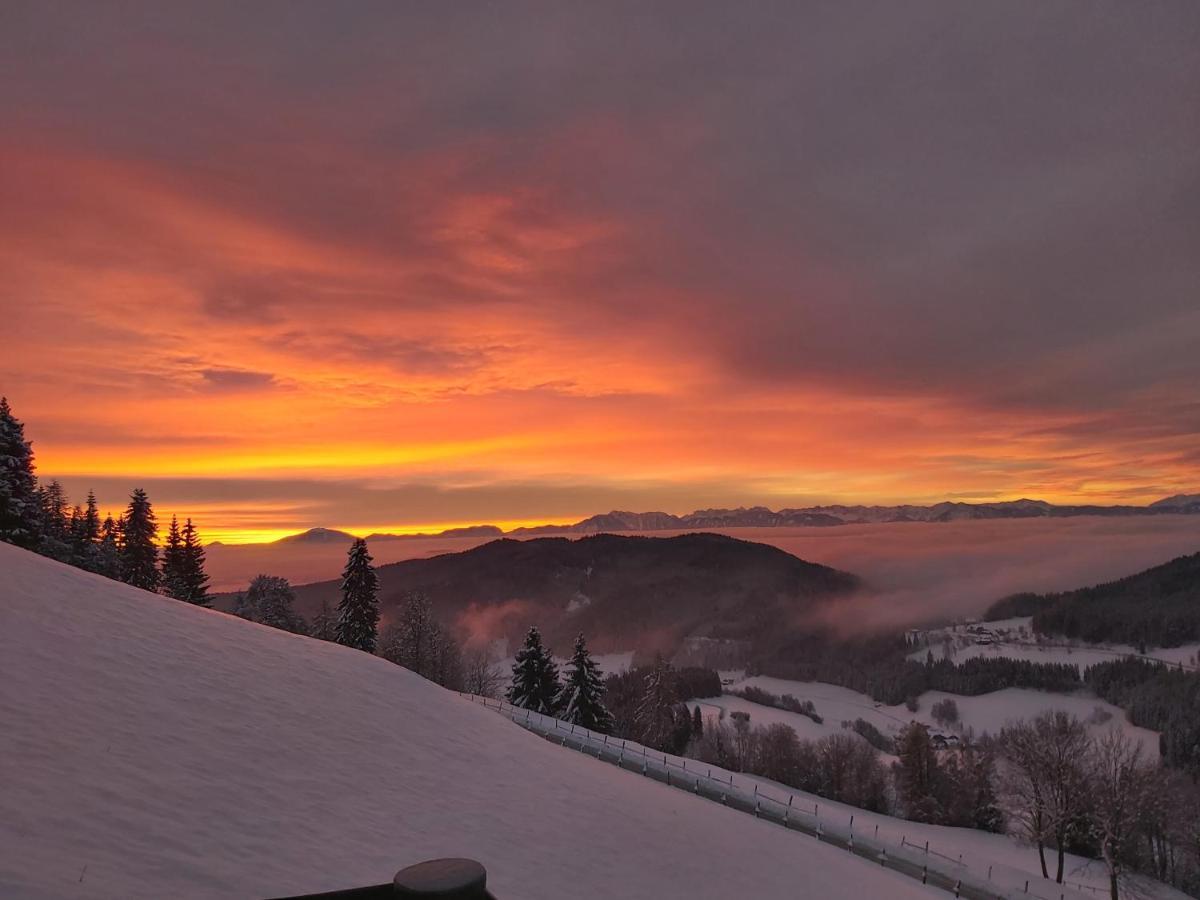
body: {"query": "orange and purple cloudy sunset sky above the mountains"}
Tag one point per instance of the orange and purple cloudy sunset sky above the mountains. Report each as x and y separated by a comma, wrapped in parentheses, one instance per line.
(404, 267)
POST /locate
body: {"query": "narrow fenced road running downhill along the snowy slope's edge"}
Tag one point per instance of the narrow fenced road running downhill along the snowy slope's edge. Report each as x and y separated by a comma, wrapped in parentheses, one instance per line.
(917, 861)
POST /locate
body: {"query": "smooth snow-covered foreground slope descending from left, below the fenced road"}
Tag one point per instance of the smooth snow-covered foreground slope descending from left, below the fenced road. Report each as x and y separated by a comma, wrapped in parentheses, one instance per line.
(152, 749)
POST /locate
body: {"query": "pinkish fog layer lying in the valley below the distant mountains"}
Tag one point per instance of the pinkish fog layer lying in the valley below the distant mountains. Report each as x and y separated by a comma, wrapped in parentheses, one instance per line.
(915, 572)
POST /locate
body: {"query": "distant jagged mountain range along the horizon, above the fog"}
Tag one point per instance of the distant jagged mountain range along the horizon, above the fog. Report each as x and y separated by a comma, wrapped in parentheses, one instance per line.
(806, 517)
